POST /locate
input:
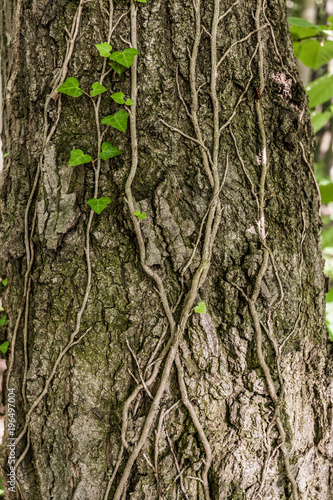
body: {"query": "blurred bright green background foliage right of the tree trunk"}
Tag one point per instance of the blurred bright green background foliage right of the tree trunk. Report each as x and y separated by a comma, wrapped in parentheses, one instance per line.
(313, 46)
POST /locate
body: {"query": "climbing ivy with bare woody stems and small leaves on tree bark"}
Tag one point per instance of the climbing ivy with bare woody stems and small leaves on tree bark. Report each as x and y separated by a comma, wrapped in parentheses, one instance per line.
(166, 352)
